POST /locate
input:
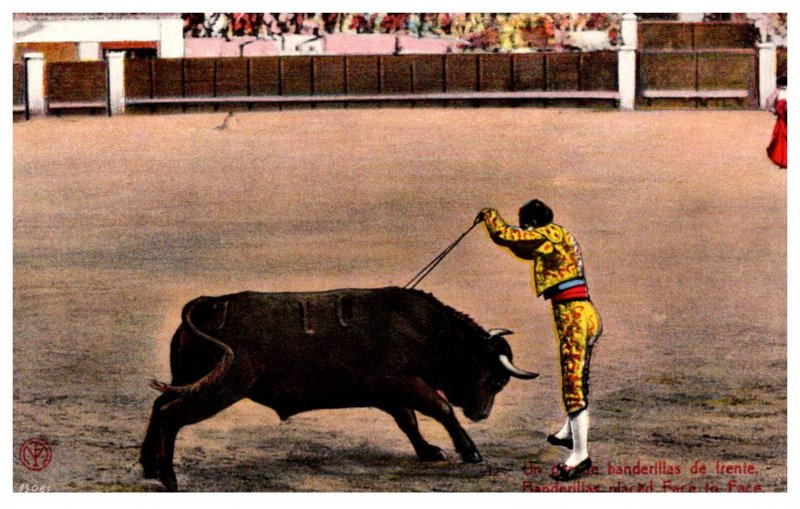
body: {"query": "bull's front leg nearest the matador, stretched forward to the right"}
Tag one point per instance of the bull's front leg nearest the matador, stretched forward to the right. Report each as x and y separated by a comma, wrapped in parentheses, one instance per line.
(418, 395)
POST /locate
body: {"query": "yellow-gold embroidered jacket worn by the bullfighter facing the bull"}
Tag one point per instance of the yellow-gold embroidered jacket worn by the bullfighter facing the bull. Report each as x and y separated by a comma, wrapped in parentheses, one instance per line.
(556, 255)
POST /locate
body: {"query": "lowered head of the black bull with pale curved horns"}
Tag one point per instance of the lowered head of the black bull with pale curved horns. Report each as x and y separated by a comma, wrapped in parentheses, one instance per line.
(491, 372)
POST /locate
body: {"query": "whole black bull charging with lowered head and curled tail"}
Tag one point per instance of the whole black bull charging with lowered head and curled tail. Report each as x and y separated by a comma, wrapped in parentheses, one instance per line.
(397, 350)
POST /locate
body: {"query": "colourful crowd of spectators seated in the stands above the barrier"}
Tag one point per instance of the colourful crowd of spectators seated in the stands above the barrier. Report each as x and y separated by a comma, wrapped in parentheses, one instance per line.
(475, 31)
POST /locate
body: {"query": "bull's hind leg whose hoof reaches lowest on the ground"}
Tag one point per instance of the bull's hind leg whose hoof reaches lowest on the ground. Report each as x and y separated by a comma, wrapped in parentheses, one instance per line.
(186, 410)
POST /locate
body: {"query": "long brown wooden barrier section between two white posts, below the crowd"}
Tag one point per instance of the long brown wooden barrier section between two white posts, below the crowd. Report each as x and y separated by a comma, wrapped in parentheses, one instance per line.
(423, 77)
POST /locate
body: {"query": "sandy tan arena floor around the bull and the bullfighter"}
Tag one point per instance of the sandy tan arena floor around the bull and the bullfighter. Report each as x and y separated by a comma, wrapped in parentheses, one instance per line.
(682, 219)
